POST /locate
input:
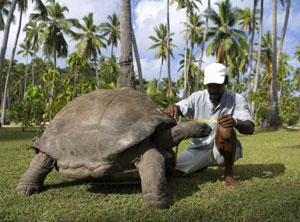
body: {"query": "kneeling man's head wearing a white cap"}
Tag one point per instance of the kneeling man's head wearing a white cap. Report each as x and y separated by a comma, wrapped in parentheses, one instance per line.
(215, 78)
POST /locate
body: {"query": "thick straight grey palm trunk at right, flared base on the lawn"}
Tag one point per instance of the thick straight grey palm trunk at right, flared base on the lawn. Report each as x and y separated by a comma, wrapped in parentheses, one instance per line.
(275, 119)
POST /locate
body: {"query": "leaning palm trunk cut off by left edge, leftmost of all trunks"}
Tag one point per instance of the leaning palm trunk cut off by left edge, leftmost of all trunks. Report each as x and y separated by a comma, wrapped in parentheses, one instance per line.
(5, 36)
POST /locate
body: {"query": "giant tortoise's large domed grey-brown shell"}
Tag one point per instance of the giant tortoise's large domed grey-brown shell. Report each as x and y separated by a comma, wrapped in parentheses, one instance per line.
(87, 135)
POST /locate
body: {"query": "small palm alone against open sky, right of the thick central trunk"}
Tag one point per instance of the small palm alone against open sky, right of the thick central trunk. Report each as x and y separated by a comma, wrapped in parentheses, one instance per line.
(160, 43)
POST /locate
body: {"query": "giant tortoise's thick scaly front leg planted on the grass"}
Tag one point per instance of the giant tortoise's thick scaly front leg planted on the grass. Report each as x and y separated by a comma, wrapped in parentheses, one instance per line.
(152, 171)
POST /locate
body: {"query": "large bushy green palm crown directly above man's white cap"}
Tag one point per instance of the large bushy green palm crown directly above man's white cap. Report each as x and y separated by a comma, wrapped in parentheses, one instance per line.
(227, 42)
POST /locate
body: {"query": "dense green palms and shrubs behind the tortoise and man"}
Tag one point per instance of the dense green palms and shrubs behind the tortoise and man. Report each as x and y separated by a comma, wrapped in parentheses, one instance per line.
(32, 92)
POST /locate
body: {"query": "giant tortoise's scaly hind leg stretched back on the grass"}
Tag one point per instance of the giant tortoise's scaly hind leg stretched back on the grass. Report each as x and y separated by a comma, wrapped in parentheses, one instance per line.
(33, 179)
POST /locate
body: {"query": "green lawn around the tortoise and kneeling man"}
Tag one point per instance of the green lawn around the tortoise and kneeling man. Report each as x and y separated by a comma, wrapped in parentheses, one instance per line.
(269, 174)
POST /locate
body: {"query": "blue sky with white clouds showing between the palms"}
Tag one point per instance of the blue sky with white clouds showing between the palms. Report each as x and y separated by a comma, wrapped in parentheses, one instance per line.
(146, 14)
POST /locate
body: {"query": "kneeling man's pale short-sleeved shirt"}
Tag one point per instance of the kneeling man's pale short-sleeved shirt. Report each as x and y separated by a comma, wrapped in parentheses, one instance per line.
(199, 106)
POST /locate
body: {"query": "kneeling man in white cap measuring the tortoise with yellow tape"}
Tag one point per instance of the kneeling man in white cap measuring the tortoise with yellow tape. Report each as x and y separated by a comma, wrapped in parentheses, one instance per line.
(225, 111)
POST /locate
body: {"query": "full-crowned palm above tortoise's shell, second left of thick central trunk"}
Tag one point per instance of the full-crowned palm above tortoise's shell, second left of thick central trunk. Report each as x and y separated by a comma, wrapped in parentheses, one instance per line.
(90, 42)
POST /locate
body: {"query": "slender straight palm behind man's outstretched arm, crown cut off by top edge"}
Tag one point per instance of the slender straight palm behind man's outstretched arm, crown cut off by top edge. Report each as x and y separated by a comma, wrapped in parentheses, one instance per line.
(190, 5)
